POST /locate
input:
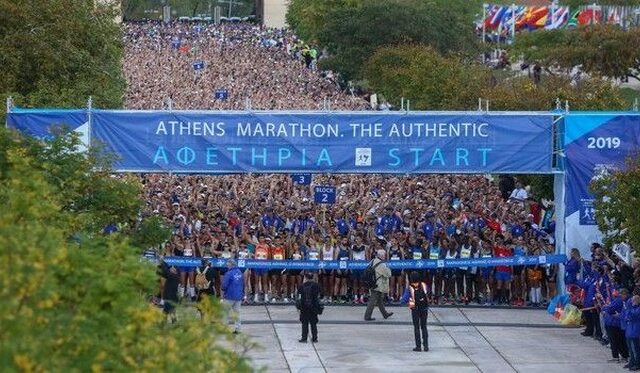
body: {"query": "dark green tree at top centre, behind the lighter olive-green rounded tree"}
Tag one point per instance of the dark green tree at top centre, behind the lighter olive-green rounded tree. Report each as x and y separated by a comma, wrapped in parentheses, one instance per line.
(353, 34)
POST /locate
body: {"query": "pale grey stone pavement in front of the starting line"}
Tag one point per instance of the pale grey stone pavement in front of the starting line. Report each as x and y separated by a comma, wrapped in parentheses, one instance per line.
(460, 340)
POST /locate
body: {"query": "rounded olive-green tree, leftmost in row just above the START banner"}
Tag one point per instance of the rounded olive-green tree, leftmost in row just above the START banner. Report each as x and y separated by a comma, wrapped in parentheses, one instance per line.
(422, 75)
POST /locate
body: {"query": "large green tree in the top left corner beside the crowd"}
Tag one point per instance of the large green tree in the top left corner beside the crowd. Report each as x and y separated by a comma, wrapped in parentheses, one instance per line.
(60, 53)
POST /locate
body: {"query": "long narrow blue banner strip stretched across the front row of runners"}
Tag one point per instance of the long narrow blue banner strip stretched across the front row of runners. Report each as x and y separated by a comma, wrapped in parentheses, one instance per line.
(362, 264)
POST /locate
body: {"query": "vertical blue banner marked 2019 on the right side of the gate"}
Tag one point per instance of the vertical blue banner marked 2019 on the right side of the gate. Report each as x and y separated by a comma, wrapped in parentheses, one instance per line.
(595, 145)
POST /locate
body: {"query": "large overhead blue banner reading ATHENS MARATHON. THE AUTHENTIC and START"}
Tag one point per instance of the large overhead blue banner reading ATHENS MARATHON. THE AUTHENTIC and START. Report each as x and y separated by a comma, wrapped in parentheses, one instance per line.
(343, 142)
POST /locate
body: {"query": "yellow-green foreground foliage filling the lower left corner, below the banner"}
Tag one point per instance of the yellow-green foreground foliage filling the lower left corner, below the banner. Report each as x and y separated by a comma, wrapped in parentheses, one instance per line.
(80, 305)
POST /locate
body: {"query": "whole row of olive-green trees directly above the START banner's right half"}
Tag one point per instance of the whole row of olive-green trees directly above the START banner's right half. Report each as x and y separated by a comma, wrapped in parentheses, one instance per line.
(434, 82)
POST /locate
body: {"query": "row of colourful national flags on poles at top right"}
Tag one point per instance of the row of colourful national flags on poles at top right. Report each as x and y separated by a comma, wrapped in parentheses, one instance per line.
(505, 20)
